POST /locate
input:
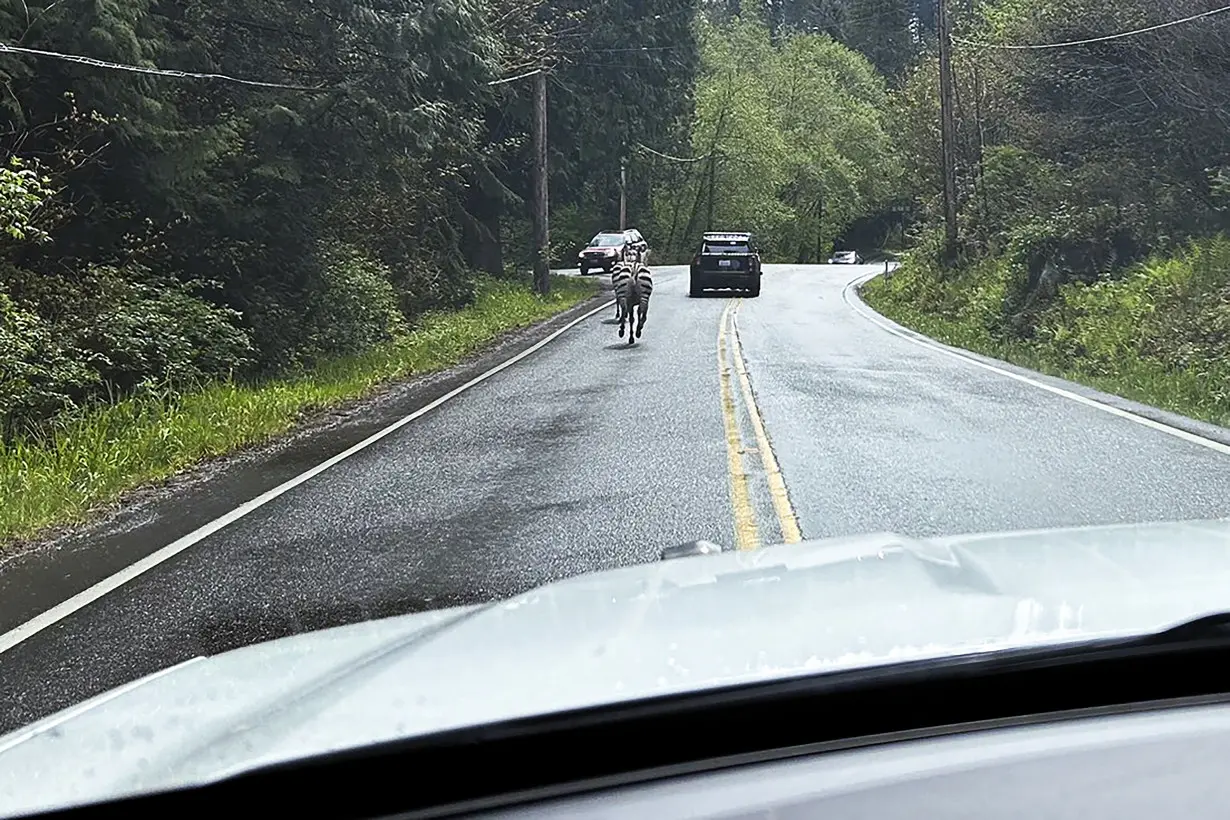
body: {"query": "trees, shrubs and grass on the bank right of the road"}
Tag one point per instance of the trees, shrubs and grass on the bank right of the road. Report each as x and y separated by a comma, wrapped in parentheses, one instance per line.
(1084, 175)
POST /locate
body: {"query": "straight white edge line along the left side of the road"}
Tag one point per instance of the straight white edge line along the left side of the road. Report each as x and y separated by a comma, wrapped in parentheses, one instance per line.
(61, 612)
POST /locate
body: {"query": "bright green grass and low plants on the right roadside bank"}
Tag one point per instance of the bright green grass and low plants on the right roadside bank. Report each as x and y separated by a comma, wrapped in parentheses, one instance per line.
(1159, 334)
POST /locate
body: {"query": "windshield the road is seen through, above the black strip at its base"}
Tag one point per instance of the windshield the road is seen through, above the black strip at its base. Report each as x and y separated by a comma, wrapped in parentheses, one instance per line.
(300, 330)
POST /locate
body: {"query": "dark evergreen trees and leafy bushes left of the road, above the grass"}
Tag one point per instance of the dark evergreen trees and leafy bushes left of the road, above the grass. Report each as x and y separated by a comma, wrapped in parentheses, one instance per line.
(325, 223)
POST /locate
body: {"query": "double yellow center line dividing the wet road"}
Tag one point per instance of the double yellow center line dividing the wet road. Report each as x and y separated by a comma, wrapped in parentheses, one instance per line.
(746, 532)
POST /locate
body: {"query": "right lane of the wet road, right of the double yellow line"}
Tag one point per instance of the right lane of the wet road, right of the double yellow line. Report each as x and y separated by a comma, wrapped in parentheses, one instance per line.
(874, 435)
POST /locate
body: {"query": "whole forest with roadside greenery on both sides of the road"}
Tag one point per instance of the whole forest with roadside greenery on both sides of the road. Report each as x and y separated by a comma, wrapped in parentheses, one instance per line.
(204, 201)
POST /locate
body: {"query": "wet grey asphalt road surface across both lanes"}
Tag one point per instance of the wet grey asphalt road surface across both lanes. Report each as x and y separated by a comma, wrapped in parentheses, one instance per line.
(591, 455)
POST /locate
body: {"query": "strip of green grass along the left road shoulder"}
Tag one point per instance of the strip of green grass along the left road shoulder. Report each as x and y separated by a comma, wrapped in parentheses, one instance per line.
(97, 457)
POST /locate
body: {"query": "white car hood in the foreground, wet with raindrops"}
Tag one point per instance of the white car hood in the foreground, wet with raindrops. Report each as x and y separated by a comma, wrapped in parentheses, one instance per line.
(643, 631)
